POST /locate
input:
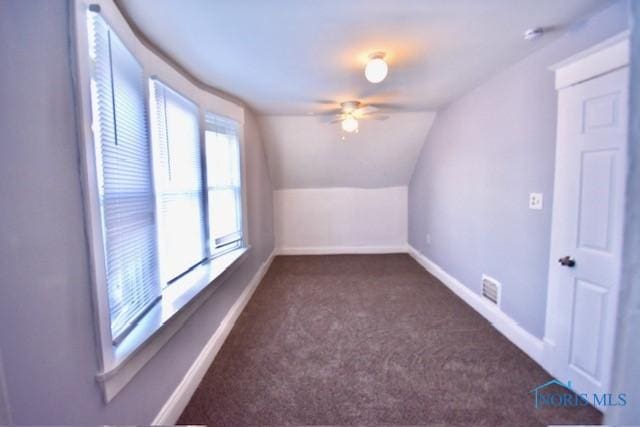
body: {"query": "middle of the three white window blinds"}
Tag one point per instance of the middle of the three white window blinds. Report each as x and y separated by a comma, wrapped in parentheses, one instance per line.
(179, 181)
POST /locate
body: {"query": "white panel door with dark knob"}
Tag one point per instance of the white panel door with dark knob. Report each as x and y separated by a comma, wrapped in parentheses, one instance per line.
(588, 216)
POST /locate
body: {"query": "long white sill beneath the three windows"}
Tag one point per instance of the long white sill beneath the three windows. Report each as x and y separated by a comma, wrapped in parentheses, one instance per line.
(179, 301)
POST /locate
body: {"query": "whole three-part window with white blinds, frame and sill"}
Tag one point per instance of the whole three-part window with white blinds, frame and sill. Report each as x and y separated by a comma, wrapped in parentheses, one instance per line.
(164, 201)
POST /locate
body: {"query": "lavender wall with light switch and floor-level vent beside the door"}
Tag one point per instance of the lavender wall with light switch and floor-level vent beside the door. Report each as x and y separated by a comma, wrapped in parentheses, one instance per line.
(484, 154)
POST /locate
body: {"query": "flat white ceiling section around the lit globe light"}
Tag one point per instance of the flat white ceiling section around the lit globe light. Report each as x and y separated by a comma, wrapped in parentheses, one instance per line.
(301, 56)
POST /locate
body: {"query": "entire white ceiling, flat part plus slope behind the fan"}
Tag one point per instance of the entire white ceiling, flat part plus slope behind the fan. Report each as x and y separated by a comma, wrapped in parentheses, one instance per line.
(294, 60)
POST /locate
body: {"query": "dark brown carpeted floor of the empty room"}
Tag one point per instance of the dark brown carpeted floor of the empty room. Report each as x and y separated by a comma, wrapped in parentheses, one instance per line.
(367, 340)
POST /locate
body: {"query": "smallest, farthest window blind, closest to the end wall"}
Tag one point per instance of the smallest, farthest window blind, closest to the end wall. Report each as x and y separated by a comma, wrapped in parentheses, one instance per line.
(223, 181)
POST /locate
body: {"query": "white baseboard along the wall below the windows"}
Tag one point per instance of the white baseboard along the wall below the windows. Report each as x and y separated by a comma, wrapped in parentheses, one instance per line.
(173, 407)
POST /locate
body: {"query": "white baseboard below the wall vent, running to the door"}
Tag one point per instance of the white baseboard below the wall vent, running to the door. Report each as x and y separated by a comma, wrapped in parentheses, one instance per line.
(527, 342)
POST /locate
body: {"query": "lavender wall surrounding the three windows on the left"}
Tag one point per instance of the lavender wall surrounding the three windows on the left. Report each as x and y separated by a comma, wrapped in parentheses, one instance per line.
(47, 335)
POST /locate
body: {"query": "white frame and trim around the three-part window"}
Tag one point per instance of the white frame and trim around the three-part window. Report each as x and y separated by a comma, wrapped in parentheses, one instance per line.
(117, 365)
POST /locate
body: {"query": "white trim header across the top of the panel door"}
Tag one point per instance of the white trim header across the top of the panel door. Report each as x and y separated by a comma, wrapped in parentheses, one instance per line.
(609, 55)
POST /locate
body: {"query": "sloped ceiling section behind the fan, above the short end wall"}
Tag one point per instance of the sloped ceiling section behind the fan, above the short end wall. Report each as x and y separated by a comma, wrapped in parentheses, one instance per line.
(307, 152)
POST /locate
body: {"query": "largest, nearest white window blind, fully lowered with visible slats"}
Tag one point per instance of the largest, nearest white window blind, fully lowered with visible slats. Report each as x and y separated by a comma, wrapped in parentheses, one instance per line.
(123, 166)
